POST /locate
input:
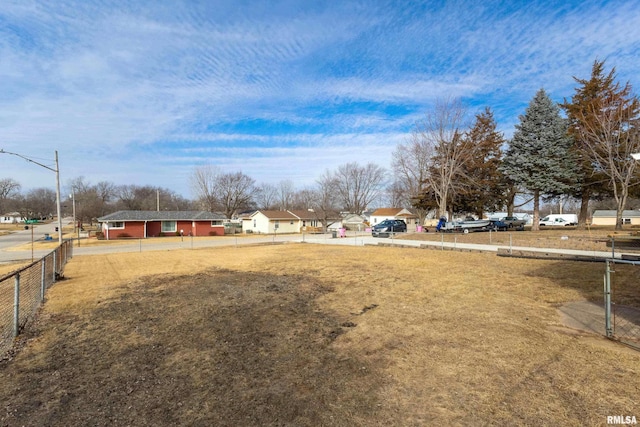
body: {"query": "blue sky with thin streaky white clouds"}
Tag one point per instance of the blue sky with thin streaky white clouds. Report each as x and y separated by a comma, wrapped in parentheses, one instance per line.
(141, 92)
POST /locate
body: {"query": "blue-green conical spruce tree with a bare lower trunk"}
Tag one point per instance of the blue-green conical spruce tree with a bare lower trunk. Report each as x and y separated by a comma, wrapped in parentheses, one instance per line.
(539, 157)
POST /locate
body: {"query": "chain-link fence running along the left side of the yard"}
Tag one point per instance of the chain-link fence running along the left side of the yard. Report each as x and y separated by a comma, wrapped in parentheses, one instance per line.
(23, 291)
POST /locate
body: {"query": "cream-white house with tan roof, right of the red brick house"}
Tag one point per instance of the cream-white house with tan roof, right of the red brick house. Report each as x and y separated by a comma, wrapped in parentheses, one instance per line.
(269, 222)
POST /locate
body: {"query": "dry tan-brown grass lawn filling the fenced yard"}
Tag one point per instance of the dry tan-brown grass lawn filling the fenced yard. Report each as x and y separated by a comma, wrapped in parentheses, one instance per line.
(318, 335)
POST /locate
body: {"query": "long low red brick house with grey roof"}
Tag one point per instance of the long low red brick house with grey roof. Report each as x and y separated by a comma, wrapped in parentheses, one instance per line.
(143, 224)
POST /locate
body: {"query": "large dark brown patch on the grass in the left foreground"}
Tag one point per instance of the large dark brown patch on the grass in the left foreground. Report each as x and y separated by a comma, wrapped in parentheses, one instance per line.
(217, 348)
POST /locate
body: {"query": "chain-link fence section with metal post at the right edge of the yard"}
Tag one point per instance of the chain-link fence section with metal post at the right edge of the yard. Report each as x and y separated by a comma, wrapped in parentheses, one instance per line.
(622, 322)
